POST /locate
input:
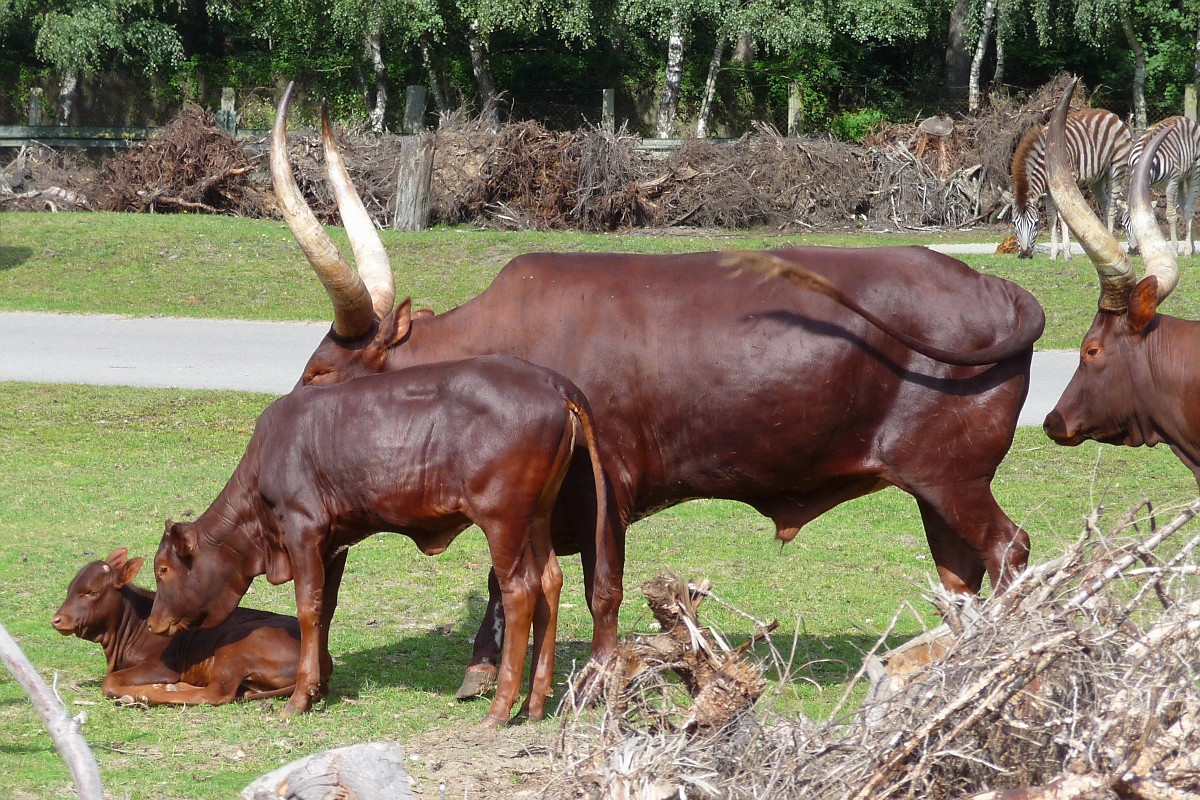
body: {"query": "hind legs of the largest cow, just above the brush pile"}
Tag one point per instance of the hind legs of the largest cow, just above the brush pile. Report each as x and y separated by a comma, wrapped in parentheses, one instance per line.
(969, 536)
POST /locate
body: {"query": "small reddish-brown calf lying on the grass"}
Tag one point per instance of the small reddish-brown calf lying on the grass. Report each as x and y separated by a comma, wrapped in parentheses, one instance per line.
(250, 657)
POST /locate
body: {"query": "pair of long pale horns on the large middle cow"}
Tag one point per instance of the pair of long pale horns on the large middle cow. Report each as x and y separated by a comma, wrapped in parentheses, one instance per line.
(359, 297)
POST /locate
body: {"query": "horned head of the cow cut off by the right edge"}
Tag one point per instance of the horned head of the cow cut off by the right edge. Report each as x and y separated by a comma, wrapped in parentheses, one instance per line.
(1107, 399)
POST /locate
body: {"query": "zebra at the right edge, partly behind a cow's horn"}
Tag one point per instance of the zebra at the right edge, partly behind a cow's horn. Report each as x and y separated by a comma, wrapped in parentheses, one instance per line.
(1177, 171)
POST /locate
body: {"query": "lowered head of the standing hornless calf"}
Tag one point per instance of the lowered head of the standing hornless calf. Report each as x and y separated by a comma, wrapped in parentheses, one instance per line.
(200, 584)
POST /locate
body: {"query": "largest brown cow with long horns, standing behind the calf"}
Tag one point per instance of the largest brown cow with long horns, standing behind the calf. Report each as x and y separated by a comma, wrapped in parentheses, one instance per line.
(707, 383)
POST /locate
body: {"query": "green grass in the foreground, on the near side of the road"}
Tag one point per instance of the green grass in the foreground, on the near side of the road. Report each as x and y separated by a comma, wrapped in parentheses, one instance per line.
(85, 471)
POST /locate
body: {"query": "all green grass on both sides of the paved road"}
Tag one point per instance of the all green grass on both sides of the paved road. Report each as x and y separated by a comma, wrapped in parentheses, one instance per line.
(85, 471)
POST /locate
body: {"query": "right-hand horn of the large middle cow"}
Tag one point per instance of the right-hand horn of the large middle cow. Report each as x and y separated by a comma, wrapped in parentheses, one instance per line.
(369, 252)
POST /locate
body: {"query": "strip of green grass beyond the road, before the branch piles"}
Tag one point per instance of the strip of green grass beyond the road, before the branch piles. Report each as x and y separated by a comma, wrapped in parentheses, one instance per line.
(219, 267)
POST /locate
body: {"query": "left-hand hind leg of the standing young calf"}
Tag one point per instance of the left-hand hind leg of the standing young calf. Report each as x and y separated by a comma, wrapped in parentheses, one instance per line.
(517, 573)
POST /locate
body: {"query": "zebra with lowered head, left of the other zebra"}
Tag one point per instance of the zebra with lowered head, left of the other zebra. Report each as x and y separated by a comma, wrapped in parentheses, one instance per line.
(1099, 146)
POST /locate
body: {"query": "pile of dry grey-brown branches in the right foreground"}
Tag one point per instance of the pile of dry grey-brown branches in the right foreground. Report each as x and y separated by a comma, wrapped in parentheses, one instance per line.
(1082, 682)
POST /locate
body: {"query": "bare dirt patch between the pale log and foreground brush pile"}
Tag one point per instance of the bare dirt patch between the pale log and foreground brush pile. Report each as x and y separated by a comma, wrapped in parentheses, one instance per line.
(473, 762)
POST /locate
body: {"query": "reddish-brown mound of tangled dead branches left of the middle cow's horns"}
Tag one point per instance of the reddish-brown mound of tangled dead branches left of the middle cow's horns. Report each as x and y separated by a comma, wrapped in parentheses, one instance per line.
(190, 166)
